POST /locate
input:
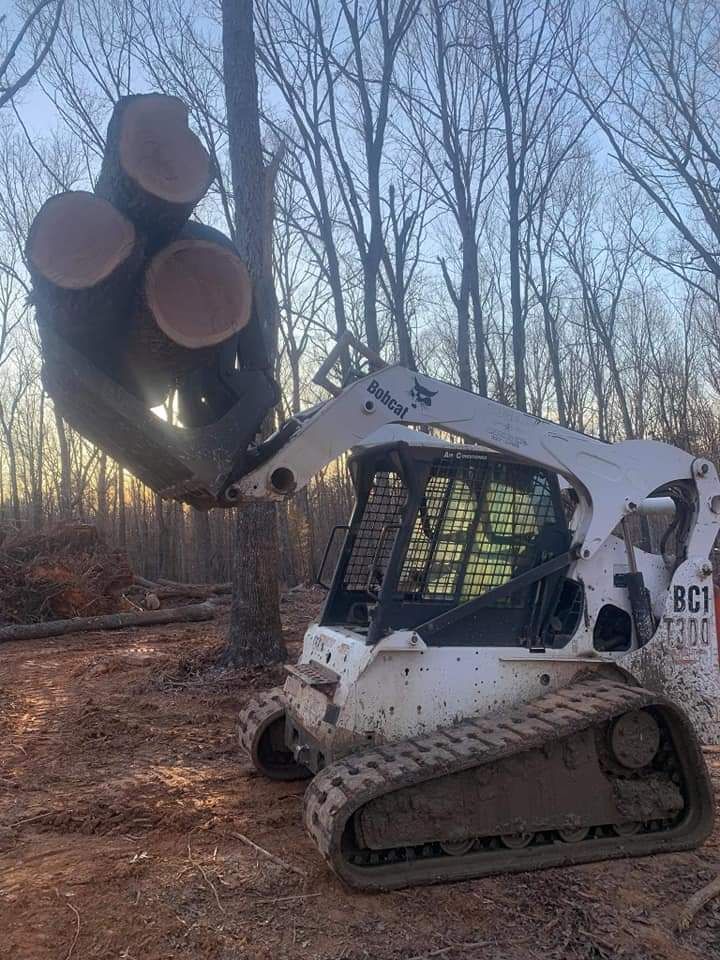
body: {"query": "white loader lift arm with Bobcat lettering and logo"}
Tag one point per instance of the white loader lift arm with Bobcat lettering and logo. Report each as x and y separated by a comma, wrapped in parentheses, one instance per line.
(610, 479)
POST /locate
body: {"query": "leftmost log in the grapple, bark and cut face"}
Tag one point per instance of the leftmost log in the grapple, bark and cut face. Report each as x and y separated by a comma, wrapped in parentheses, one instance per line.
(85, 260)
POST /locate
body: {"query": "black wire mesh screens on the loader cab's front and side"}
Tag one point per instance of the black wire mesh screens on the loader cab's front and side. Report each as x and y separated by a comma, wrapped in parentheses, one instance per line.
(476, 528)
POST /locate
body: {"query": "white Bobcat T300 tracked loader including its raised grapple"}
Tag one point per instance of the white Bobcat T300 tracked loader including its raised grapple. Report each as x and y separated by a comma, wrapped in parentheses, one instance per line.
(504, 675)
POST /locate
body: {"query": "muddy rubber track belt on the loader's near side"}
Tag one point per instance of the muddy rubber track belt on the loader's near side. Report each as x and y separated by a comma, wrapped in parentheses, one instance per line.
(342, 788)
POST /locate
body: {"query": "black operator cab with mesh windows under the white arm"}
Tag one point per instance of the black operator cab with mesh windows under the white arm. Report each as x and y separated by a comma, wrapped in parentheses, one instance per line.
(436, 527)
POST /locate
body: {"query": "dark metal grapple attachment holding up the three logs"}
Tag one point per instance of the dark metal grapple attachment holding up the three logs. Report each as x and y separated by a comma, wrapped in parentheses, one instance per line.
(195, 462)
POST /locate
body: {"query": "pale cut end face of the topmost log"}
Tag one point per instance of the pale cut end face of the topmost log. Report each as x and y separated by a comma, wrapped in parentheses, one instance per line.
(160, 152)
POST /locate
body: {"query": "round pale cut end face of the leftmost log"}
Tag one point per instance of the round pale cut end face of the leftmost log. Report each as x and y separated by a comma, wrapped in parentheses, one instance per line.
(78, 239)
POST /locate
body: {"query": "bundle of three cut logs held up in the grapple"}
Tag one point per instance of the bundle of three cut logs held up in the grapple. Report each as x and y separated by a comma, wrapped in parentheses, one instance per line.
(122, 275)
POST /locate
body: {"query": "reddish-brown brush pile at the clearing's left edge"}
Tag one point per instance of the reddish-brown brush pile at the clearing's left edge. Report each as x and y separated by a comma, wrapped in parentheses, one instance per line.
(60, 573)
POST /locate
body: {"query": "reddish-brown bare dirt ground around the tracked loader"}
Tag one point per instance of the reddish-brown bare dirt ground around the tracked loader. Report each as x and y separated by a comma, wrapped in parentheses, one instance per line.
(125, 812)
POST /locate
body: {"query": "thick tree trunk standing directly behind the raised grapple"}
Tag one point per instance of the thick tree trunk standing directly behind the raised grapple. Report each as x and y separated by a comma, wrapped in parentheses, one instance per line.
(255, 635)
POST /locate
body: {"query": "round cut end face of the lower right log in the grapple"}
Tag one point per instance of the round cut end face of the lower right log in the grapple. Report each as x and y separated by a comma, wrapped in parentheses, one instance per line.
(199, 293)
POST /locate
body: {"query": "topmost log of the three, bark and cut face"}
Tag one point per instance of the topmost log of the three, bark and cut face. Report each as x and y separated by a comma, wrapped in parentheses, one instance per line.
(155, 169)
